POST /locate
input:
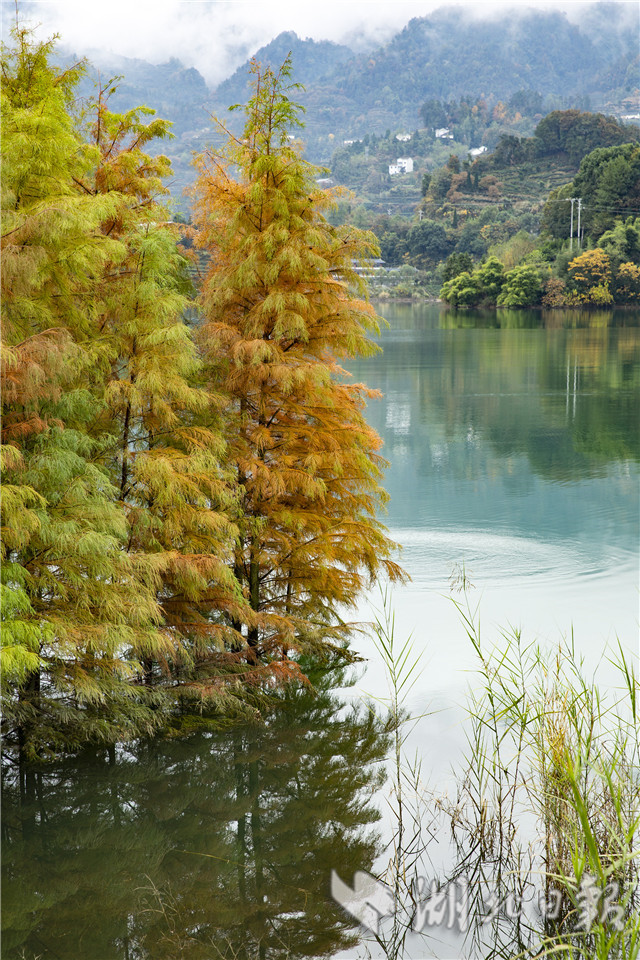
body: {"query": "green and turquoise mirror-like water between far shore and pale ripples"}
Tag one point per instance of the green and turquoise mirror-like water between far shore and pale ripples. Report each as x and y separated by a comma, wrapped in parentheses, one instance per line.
(530, 430)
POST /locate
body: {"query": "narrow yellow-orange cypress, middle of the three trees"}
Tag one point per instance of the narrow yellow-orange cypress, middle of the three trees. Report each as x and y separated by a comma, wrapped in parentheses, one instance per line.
(165, 445)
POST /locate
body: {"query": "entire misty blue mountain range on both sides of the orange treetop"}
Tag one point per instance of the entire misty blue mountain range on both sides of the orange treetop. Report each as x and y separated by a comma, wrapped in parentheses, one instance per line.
(520, 66)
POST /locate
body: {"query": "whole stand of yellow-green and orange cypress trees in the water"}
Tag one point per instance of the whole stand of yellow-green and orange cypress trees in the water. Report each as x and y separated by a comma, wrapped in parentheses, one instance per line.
(147, 567)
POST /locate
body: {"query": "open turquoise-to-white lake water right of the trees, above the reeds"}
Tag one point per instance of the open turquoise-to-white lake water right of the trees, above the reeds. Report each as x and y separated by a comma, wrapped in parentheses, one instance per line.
(514, 442)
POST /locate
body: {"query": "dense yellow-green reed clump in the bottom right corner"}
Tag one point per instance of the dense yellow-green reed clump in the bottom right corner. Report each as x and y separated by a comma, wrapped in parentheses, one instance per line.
(550, 796)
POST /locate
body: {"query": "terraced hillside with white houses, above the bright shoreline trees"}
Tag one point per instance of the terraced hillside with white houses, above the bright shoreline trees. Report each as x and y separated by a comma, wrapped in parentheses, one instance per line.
(471, 202)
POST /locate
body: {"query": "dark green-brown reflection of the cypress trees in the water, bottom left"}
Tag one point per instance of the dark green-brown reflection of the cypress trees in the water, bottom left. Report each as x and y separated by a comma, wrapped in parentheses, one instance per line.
(216, 845)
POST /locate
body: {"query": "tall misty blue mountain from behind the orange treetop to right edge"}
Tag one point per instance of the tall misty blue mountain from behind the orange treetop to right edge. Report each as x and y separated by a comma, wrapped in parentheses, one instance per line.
(592, 64)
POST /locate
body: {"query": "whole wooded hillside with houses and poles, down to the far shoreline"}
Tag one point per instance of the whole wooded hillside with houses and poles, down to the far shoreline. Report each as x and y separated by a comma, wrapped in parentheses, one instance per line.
(482, 215)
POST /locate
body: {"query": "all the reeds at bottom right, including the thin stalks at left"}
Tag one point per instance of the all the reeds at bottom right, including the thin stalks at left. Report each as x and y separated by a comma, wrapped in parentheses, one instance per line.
(547, 806)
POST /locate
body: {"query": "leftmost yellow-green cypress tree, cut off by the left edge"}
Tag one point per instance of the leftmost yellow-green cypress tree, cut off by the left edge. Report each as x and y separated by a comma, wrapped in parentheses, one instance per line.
(73, 600)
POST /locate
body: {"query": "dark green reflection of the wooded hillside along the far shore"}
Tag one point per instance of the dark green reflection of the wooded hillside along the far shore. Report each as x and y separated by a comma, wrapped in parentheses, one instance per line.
(566, 397)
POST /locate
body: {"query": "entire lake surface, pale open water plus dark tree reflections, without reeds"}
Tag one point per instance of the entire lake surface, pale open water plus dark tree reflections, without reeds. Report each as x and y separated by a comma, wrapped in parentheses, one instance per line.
(514, 449)
